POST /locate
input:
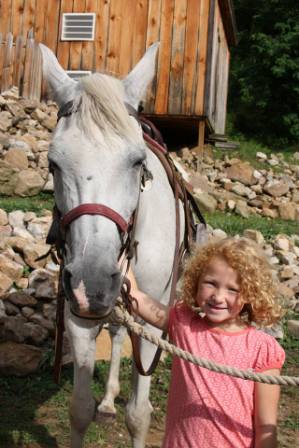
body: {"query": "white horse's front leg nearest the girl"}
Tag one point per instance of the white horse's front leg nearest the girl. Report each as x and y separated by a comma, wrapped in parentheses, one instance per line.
(139, 408)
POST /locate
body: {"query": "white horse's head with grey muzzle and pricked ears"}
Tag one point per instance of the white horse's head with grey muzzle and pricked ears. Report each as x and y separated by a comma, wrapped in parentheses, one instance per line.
(95, 155)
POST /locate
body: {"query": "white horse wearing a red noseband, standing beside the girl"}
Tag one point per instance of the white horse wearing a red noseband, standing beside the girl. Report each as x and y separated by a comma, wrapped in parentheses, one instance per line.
(96, 156)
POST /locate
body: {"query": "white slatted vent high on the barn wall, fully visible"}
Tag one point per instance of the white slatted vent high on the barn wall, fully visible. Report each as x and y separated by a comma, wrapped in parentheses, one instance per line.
(78, 26)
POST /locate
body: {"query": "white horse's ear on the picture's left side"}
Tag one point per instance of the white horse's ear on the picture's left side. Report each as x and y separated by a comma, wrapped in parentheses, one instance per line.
(60, 84)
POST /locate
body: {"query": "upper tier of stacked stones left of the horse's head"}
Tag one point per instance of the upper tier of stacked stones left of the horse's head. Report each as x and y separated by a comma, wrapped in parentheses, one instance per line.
(25, 128)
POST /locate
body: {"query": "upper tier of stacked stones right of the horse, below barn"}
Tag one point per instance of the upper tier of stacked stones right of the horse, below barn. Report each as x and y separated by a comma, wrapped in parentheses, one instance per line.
(235, 186)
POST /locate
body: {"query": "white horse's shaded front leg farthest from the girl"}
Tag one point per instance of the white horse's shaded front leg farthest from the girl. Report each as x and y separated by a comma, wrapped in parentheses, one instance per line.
(82, 335)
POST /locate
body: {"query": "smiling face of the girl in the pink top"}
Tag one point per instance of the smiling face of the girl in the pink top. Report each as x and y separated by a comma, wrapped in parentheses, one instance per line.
(218, 295)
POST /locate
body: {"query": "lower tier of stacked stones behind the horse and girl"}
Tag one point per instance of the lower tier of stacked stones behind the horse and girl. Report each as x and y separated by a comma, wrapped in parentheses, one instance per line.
(28, 286)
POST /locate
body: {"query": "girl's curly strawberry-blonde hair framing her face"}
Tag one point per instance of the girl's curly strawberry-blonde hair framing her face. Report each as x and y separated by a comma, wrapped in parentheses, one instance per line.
(258, 288)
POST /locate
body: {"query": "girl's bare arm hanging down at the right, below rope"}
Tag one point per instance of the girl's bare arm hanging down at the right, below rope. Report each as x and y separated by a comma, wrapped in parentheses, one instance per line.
(265, 419)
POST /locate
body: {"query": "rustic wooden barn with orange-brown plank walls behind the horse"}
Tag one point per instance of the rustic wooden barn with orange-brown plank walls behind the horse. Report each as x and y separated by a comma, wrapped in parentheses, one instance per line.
(195, 36)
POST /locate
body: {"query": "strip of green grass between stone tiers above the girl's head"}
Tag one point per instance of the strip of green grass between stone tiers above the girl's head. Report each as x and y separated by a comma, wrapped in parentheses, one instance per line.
(233, 224)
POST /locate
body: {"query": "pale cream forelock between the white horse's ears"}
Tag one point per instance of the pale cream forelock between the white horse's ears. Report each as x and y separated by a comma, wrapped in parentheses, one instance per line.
(102, 103)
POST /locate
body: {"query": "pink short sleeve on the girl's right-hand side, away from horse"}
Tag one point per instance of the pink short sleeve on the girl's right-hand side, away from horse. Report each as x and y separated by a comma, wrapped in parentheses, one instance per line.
(271, 355)
